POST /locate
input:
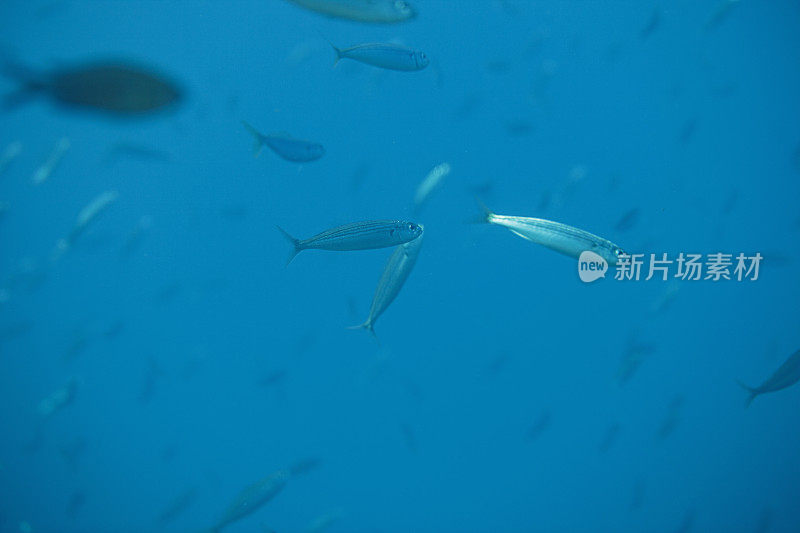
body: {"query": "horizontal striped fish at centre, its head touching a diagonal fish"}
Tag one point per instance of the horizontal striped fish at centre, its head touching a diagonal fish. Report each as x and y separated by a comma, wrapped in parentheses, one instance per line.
(367, 235)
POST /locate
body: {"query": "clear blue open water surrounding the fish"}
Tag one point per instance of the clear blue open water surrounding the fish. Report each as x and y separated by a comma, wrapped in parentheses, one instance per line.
(203, 364)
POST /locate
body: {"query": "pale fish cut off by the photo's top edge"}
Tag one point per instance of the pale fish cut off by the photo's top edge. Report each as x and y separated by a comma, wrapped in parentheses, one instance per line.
(375, 11)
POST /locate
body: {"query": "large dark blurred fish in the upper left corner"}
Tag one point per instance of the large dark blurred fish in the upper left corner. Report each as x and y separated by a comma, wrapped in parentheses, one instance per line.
(118, 88)
